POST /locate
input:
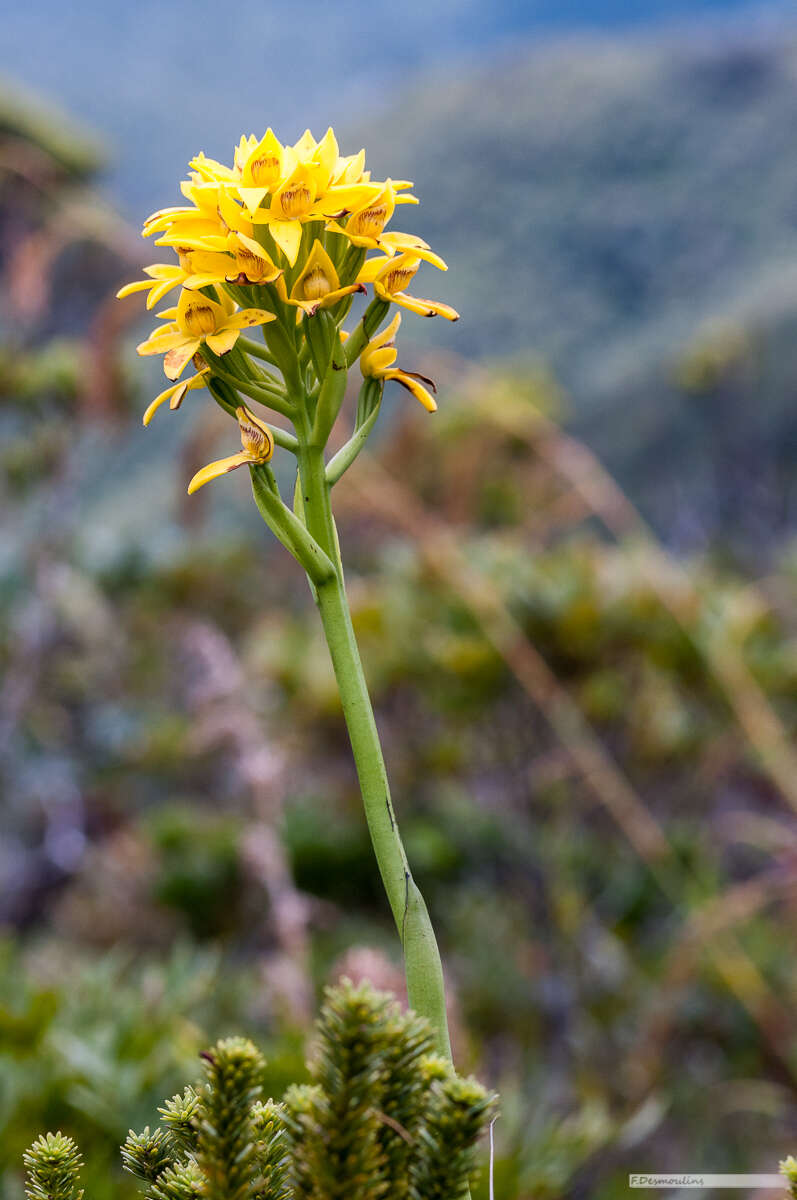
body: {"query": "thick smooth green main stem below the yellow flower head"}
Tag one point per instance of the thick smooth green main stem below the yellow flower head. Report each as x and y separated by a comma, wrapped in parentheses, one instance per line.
(423, 964)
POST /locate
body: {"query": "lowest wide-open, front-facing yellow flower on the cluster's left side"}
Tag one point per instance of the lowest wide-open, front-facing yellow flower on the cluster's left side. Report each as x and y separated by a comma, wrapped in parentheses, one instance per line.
(197, 320)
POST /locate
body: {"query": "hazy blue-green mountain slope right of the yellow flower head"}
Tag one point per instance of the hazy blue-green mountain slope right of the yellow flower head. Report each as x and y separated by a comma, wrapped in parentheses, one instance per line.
(620, 207)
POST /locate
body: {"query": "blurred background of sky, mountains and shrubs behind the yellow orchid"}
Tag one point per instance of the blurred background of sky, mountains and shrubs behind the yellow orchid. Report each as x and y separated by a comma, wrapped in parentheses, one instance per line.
(574, 586)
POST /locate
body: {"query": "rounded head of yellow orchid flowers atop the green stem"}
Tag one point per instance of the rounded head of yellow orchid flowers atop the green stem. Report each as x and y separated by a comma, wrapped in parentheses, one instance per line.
(283, 241)
